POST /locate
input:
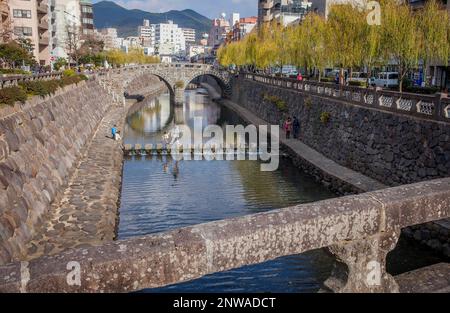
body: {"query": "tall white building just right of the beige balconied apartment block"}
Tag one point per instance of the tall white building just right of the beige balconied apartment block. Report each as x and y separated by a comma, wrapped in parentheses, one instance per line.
(65, 19)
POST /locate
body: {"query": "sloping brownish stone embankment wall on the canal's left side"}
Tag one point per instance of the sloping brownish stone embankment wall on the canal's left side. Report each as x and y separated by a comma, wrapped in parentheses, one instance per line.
(40, 142)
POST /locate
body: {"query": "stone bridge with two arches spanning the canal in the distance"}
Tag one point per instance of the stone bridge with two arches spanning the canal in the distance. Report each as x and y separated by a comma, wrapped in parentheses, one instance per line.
(133, 80)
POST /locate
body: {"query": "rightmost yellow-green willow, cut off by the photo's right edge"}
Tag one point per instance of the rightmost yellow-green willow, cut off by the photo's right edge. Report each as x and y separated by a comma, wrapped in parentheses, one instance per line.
(435, 43)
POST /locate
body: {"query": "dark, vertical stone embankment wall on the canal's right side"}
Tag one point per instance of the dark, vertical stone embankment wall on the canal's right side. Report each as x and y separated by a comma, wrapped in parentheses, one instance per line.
(391, 148)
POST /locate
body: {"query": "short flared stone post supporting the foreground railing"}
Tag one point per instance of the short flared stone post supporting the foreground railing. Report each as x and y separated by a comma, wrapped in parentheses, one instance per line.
(361, 265)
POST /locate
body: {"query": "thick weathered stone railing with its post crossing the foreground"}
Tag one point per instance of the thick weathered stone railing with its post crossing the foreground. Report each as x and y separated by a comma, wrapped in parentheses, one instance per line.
(360, 230)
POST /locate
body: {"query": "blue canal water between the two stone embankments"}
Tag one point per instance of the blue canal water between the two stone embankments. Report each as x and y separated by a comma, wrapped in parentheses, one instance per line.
(159, 194)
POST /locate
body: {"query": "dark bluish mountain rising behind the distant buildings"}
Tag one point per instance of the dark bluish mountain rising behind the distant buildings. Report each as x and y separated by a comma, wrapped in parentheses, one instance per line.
(110, 14)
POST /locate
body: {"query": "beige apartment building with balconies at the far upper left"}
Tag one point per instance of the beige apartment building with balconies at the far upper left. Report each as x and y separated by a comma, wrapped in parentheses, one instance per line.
(30, 21)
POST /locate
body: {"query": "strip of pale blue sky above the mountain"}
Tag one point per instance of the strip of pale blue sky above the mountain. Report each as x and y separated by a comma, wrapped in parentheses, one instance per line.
(209, 8)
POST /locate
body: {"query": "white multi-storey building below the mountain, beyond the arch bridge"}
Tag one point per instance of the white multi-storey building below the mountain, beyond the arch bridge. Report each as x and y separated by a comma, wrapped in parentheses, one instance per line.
(169, 39)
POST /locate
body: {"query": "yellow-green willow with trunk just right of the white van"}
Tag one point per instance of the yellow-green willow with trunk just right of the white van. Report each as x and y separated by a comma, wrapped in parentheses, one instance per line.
(401, 37)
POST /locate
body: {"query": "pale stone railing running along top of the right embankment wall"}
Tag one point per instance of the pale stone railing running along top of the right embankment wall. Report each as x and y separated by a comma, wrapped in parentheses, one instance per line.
(433, 107)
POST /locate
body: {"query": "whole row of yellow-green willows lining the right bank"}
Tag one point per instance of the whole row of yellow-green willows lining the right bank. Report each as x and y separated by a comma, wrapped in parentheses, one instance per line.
(348, 40)
